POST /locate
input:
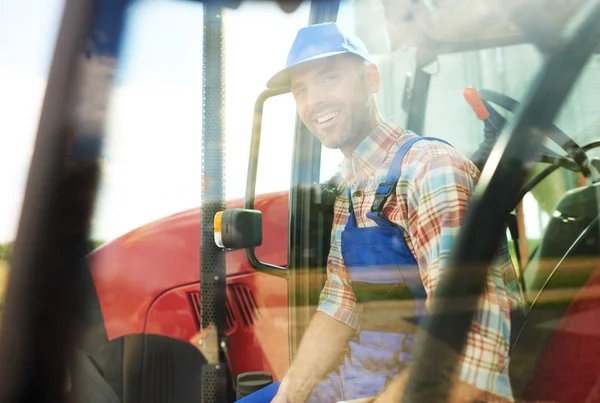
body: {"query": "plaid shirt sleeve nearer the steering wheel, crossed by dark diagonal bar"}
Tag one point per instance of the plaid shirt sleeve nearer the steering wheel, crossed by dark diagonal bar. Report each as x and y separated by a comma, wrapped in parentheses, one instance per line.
(440, 183)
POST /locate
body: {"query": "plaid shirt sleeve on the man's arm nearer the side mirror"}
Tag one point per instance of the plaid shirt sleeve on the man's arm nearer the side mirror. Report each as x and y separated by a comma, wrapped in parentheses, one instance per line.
(337, 298)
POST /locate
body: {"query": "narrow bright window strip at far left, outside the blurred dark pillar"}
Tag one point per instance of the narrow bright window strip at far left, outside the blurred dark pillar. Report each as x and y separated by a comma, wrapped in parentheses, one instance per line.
(24, 65)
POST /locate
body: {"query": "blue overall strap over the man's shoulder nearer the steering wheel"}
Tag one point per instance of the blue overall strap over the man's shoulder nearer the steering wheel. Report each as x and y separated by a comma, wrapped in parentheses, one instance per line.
(387, 188)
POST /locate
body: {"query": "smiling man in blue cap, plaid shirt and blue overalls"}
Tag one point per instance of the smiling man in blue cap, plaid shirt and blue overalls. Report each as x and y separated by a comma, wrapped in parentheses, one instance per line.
(394, 226)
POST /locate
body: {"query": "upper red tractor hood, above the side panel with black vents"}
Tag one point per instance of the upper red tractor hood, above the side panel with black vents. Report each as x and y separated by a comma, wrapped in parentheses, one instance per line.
(130, 272)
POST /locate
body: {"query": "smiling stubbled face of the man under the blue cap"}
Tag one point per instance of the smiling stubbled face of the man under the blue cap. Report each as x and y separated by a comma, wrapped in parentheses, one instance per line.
(333, 98)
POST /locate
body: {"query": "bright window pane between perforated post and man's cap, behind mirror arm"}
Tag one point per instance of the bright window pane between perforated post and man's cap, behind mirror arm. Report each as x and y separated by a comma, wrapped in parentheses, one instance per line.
(255, 52)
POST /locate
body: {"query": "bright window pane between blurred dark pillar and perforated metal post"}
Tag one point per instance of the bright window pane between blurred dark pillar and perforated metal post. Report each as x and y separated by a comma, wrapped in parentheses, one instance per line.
(153, 132)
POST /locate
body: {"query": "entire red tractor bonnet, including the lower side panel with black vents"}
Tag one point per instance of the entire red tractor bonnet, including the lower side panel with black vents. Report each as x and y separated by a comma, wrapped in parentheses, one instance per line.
(148, 281)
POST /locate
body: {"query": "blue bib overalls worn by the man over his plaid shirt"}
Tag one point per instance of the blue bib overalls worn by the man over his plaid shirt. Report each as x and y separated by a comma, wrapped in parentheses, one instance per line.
(381, 268)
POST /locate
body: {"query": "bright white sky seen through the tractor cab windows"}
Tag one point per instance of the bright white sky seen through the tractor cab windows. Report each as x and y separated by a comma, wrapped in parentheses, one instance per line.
(153, 121)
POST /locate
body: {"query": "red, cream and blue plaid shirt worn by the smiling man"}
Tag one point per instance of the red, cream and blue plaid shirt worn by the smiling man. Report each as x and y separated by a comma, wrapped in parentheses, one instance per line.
(431, 198)
